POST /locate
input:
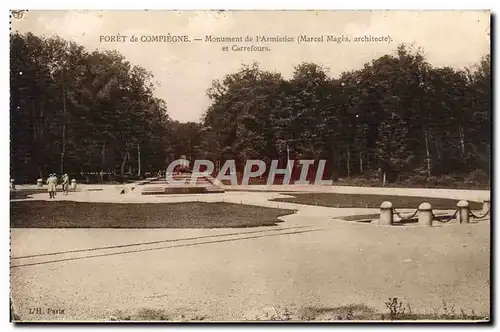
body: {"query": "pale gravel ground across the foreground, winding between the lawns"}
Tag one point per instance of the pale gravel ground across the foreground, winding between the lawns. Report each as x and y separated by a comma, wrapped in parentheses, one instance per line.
(310, 261)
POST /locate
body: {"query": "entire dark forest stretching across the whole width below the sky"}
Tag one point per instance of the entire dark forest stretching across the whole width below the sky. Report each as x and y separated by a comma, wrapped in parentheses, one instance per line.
(397, 119)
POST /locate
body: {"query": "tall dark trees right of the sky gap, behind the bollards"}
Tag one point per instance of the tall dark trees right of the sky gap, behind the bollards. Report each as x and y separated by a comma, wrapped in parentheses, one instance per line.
(396, 117)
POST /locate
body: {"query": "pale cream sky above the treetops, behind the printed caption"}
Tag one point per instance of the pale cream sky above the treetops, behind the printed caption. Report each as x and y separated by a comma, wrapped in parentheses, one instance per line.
(184, 71)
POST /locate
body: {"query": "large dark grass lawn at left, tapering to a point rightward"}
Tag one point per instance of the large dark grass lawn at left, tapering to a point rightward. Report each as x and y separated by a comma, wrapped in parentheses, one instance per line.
(56, 214)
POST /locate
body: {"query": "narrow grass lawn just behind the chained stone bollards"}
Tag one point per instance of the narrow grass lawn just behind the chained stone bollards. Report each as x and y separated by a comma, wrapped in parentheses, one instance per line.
(371, 201)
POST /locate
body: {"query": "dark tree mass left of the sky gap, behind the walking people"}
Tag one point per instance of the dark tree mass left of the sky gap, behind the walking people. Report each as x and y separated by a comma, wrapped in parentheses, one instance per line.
(83, 113)
